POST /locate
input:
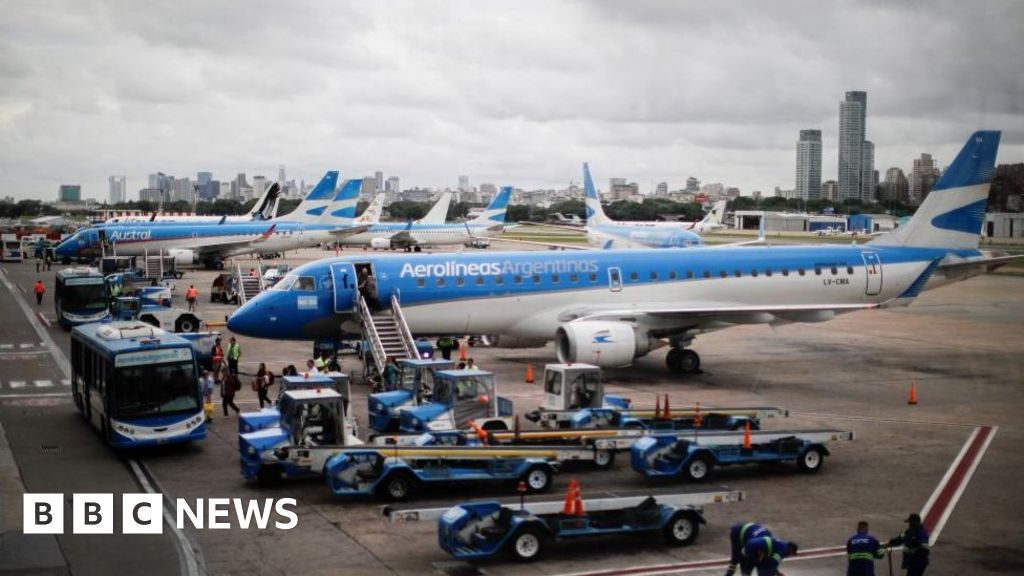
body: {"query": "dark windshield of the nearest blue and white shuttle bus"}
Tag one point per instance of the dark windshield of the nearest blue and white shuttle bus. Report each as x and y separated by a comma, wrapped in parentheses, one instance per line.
(152, 390)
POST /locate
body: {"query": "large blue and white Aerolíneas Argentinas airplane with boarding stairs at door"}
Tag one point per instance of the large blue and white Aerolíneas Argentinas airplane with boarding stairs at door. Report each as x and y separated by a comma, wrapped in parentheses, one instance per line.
(609, 308)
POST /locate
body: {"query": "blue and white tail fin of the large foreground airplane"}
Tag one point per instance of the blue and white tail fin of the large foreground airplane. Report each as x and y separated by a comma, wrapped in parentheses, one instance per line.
(954, 214)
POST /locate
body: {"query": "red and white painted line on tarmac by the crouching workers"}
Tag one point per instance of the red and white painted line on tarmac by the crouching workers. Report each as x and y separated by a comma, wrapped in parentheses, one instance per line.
(934, 515)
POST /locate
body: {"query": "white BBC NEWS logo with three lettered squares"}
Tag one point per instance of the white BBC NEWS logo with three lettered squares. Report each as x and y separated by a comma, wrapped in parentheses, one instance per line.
(144, 514)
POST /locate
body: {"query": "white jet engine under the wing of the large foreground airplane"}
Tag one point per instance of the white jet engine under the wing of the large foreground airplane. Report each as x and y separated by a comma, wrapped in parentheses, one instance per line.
(607, 345)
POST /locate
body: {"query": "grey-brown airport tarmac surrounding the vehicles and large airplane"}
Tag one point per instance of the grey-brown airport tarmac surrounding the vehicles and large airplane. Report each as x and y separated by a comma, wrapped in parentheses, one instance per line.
(960, 346)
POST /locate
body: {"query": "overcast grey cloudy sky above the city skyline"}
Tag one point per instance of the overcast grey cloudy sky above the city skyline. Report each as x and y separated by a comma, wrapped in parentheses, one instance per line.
(516, 94)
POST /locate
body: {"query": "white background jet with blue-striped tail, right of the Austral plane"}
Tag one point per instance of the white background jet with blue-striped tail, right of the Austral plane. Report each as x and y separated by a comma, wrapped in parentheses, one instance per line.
(413, 236)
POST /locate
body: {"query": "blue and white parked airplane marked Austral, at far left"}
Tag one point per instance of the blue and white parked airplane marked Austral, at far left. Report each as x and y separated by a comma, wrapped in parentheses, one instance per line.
(317, 220)
